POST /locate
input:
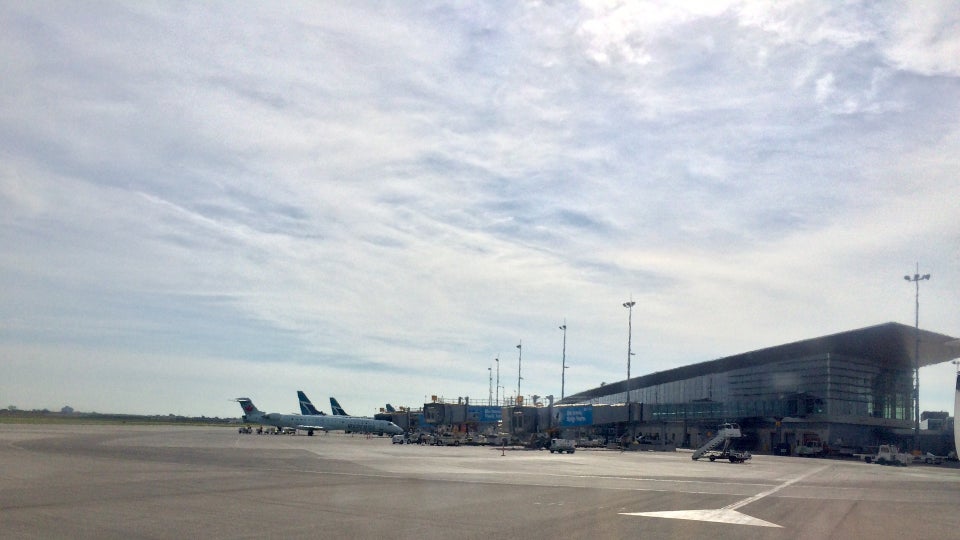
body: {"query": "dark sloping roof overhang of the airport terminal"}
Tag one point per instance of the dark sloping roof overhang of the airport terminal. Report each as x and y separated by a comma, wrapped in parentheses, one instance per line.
(890, 344)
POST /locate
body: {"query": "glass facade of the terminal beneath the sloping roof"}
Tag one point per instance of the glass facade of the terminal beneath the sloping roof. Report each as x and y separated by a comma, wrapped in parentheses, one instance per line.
(831, 385)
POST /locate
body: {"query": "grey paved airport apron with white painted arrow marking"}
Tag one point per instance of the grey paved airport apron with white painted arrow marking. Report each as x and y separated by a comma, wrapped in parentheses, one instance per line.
(190, 482)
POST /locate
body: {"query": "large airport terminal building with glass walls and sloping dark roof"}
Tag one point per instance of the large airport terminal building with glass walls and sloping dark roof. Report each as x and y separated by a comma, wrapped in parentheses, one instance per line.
(853, 389)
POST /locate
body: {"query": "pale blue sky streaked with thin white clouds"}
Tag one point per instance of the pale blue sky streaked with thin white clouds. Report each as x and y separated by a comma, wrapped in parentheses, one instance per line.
(378, 200)
